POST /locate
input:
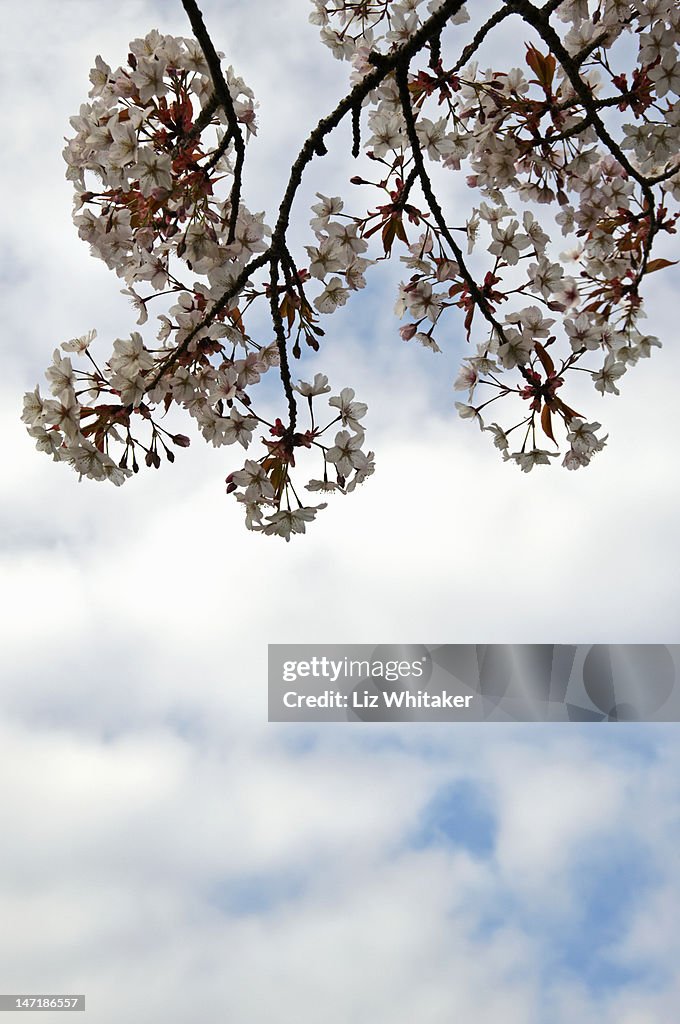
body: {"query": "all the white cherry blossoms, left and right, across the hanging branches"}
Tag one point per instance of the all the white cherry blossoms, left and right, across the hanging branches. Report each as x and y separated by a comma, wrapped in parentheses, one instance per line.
(572, 158)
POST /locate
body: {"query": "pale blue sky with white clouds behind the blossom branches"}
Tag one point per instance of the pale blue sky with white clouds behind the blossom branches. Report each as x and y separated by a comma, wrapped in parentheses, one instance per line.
(168, 852)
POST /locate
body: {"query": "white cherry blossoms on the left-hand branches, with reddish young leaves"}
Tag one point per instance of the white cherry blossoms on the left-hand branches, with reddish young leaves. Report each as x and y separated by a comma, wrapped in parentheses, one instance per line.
(149, 204)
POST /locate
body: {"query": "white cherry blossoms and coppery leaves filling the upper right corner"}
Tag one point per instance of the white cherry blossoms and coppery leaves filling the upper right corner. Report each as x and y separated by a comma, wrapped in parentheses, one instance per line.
(530, 135)
